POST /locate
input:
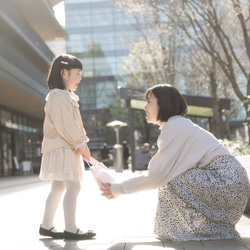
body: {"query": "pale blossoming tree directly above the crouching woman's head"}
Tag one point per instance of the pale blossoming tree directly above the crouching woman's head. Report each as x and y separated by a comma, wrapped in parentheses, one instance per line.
(154, 56)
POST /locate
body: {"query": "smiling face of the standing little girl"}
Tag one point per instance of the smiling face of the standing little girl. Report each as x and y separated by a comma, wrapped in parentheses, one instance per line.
(71, 78)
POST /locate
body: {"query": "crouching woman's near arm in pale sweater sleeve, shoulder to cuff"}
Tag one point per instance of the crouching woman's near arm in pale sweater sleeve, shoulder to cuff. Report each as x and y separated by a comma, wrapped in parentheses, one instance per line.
(177, 153)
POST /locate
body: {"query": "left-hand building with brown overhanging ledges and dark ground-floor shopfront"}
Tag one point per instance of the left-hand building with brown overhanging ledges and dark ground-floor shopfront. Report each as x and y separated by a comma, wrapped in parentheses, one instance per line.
(25, 27)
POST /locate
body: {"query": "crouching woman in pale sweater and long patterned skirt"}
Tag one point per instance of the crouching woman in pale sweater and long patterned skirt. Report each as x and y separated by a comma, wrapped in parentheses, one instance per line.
(203, 189)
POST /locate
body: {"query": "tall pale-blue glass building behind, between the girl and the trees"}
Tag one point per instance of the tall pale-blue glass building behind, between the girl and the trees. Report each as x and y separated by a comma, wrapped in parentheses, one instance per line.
(100, 35)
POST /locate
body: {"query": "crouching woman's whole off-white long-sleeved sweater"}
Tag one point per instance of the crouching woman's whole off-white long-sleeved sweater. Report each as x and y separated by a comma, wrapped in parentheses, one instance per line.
(182, 145)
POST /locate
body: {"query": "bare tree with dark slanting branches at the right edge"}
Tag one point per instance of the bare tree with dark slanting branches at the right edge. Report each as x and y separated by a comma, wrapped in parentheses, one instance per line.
(232, 50)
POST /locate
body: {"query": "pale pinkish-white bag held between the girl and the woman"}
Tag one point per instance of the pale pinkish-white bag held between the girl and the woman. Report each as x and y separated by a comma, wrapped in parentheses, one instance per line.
(100, 172)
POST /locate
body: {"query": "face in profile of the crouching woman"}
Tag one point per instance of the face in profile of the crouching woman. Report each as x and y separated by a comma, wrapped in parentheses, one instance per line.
(152, 109)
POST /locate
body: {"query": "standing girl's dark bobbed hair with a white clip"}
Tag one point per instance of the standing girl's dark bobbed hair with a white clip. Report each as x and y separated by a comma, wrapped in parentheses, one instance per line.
(64, 61)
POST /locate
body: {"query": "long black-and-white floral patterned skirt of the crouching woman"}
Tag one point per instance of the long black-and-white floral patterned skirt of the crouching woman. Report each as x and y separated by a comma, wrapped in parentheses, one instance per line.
(203, 203)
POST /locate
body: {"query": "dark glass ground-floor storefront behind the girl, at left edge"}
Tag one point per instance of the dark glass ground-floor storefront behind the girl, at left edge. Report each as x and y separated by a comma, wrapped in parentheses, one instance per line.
(20, 139)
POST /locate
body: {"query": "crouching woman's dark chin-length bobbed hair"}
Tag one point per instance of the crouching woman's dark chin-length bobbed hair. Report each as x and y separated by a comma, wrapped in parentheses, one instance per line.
(169, 100)
